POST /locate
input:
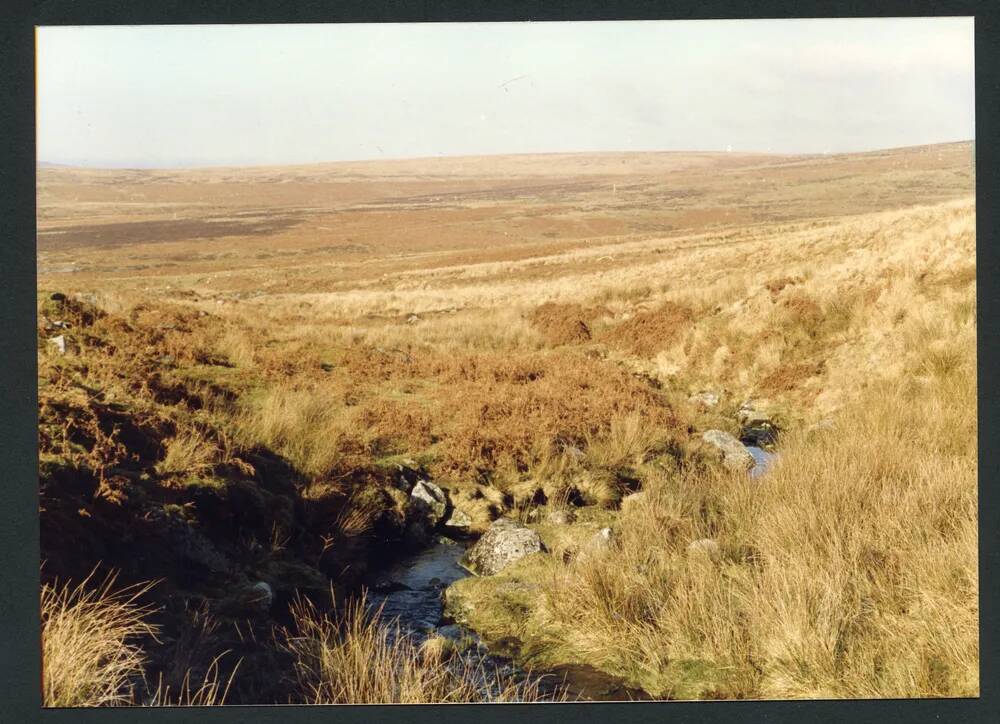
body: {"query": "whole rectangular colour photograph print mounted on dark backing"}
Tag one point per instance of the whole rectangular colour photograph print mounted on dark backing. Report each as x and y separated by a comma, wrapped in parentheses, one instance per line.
(507, 362)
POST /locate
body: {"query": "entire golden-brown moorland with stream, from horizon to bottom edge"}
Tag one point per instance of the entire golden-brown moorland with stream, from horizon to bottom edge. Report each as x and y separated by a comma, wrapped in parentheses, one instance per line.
(264, 392)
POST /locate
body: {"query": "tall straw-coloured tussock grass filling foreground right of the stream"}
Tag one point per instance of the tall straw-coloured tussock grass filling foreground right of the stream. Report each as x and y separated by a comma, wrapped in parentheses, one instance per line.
(849, 571)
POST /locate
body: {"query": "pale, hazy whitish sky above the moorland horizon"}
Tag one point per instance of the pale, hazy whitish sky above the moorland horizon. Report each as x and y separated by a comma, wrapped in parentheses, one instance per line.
(175, 96)
